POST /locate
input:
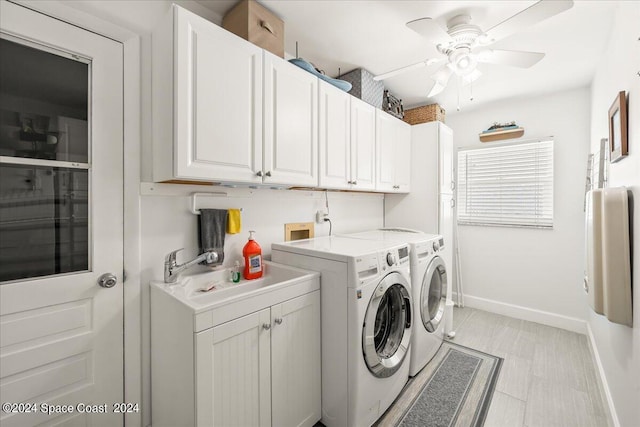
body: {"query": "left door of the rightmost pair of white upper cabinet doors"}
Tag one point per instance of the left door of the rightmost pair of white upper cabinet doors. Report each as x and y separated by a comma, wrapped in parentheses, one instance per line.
(385, 170)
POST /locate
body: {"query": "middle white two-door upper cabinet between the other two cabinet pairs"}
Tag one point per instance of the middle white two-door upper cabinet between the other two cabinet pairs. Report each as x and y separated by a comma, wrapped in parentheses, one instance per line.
(347, 140)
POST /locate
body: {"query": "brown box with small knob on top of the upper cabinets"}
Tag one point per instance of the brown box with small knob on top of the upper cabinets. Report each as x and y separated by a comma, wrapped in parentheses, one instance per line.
(257, 24)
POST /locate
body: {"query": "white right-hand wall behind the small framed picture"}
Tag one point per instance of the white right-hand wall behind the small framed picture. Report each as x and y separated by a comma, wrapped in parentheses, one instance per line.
(617, 346)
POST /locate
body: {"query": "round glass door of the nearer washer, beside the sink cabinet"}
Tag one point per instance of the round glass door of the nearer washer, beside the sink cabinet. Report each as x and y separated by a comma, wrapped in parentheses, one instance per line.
(386, 331)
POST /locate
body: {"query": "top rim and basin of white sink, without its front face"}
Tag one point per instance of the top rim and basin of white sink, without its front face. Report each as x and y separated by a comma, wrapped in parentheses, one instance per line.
(205, 291)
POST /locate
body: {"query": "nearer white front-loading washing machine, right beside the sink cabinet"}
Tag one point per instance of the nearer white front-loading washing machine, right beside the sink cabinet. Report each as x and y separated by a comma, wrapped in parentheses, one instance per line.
(366, 323)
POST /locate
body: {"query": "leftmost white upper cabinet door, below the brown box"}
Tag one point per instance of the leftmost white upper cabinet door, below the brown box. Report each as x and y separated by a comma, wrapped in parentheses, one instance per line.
(218, 102)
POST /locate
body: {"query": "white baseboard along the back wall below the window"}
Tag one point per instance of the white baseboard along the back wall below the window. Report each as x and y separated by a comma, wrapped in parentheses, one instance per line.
(544, 317)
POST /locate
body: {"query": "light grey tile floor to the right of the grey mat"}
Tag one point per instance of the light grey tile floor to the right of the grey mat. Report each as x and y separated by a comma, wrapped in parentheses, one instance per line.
(548, 376)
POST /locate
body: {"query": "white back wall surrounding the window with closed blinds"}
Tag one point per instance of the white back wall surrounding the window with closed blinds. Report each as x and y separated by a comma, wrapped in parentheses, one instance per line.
(535, 270)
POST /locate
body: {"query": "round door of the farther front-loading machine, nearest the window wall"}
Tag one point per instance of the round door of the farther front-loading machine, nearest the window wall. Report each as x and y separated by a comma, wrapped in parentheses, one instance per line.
(433, 294)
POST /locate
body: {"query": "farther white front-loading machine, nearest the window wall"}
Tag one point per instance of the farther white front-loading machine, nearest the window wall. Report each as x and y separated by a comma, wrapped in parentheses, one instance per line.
(429, 286)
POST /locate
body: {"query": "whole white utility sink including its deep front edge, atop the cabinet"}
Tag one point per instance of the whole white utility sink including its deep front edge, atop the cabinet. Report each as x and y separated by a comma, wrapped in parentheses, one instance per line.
(211, 297)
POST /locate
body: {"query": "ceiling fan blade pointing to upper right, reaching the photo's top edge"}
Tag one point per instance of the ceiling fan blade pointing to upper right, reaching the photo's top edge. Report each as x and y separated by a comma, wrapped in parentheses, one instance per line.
(532, 15)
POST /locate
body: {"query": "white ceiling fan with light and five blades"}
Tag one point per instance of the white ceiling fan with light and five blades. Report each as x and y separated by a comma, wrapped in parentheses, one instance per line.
(463, 45)
